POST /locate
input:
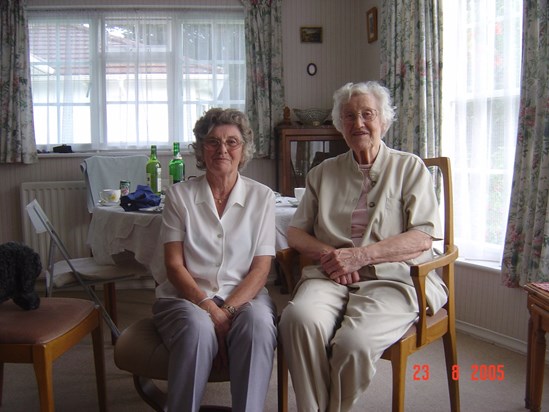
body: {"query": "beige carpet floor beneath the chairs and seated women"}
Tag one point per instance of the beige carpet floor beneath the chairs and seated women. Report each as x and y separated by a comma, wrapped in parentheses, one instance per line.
(74, 380)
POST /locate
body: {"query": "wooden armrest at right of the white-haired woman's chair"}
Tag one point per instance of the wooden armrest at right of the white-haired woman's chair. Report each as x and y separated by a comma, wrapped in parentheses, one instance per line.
(419, 274)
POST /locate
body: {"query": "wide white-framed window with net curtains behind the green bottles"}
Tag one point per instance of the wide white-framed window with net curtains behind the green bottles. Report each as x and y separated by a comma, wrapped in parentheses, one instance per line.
(127, 79)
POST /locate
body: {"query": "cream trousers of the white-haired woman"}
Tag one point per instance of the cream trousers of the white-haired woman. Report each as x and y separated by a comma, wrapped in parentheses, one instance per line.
(333, 335)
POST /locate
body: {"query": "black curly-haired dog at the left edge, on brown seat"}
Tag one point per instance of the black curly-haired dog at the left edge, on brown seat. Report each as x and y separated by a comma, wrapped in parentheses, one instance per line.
(19, 268)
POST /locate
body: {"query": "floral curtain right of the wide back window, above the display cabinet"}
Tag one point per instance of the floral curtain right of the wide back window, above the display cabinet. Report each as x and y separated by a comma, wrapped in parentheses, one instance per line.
(264, 85)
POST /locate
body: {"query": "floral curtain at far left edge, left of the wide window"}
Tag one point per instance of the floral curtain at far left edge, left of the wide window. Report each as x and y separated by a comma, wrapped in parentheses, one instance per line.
(17, 143)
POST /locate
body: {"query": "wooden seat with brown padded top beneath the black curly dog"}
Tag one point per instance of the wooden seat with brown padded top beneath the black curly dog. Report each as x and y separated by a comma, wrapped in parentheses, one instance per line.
(40, 336)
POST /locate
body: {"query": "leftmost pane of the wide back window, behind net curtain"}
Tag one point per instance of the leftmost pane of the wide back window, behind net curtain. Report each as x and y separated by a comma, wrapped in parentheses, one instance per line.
(61, 81)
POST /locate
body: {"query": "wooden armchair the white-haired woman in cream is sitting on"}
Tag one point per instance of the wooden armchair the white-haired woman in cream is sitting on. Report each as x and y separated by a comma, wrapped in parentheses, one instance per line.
(427, 329)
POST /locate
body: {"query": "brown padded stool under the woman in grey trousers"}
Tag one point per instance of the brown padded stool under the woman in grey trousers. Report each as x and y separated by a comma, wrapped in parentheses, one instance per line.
(140, 351)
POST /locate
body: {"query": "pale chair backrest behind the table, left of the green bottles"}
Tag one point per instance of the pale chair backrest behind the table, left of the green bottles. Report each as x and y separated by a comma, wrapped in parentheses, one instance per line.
(106, 172)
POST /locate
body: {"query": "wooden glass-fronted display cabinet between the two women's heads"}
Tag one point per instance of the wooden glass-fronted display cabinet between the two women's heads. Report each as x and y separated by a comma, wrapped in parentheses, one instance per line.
(299, 148)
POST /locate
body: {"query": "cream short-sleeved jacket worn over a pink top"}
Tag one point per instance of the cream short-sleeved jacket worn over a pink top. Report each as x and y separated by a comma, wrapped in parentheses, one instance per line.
(401, 198)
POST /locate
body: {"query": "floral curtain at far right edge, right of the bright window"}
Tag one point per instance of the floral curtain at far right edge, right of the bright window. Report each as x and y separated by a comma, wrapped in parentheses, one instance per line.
(526, 252)
